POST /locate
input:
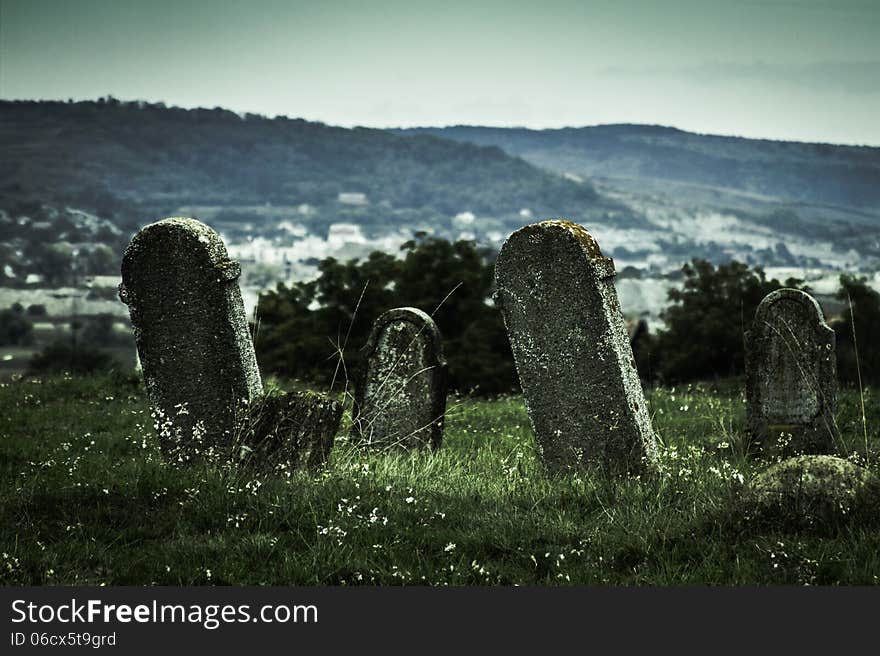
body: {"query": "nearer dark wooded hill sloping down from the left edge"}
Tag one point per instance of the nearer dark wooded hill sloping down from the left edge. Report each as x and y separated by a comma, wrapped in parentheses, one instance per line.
(133, 162)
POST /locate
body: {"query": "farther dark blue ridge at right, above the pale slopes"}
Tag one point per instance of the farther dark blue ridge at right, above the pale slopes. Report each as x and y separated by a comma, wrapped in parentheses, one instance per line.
(811, 173)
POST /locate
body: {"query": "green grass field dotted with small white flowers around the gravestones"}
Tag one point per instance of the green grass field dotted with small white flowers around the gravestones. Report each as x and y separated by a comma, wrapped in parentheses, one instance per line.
(86, 499)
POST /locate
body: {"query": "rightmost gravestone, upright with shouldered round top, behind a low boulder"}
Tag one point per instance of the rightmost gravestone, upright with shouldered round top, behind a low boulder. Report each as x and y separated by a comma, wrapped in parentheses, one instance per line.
(791, 375)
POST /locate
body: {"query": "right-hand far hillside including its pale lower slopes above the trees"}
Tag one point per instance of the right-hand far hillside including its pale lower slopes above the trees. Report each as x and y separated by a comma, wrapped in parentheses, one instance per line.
(772, 203)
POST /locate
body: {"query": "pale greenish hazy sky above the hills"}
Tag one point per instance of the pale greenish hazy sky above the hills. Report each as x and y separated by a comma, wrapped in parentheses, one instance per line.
(788, 69)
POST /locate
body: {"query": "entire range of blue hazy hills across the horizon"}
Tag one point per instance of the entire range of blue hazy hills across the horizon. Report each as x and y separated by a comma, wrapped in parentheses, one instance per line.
(655, 196)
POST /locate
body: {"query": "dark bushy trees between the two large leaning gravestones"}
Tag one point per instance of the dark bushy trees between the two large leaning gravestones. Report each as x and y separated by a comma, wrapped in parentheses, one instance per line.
(299, 327)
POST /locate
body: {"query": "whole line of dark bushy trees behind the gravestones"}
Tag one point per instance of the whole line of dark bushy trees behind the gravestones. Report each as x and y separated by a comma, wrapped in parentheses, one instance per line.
(301, 328)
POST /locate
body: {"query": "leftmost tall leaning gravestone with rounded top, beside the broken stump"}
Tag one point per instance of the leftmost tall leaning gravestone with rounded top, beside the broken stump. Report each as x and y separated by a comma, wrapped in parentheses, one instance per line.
(192, 335)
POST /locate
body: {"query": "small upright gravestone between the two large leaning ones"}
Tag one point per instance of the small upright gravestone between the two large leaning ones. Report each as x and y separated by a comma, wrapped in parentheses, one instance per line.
(401, 396)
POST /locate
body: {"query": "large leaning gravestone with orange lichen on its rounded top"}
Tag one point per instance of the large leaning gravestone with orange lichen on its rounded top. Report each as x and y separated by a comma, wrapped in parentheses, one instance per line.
(572, 352)
